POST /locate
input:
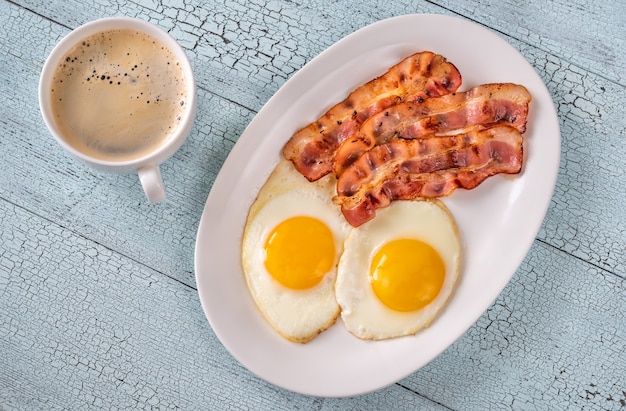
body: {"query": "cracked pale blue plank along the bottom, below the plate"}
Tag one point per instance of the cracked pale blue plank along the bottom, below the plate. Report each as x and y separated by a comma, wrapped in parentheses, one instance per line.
(82, 325)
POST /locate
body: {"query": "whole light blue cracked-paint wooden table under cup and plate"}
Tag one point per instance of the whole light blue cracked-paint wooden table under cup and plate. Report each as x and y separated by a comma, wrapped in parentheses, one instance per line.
(98, 302)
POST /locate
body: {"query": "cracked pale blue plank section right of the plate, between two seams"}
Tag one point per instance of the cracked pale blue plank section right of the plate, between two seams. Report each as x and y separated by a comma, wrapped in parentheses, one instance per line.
(586, 217)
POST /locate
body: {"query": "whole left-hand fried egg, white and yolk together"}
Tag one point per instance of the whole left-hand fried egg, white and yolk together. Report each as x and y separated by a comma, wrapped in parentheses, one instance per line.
(291, 245)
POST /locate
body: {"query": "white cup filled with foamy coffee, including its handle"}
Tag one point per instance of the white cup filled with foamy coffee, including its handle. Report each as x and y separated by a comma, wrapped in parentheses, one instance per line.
(58, 106)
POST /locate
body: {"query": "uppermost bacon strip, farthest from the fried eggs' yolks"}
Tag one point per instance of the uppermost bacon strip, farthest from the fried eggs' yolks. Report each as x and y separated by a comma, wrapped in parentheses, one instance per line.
(420, 76)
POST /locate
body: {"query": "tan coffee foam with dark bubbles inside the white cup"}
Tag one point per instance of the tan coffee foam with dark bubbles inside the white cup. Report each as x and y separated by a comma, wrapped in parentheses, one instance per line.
(118, 95)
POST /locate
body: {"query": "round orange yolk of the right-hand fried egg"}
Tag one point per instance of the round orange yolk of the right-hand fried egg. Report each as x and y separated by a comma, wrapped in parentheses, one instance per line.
(407, 274)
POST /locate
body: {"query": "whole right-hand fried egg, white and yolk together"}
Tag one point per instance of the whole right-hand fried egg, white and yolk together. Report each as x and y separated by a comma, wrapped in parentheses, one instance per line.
(398, 270)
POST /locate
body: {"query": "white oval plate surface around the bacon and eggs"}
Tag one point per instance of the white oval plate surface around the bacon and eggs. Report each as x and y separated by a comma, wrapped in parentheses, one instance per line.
(497, 221)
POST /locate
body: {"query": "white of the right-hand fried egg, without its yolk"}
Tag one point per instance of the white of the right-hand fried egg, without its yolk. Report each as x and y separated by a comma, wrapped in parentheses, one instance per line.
(363, 314)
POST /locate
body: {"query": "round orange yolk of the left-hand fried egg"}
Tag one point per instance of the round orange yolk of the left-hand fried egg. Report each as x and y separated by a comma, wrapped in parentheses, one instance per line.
(299, 252)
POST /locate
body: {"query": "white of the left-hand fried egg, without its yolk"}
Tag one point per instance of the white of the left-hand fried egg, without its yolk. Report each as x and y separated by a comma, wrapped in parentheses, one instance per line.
(298, 315)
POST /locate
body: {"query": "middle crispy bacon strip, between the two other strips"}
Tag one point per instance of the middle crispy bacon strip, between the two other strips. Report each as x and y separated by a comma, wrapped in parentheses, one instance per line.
(487, 104)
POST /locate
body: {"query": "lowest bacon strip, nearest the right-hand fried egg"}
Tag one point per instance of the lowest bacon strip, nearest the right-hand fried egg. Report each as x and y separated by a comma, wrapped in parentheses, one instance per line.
(428, 168)
